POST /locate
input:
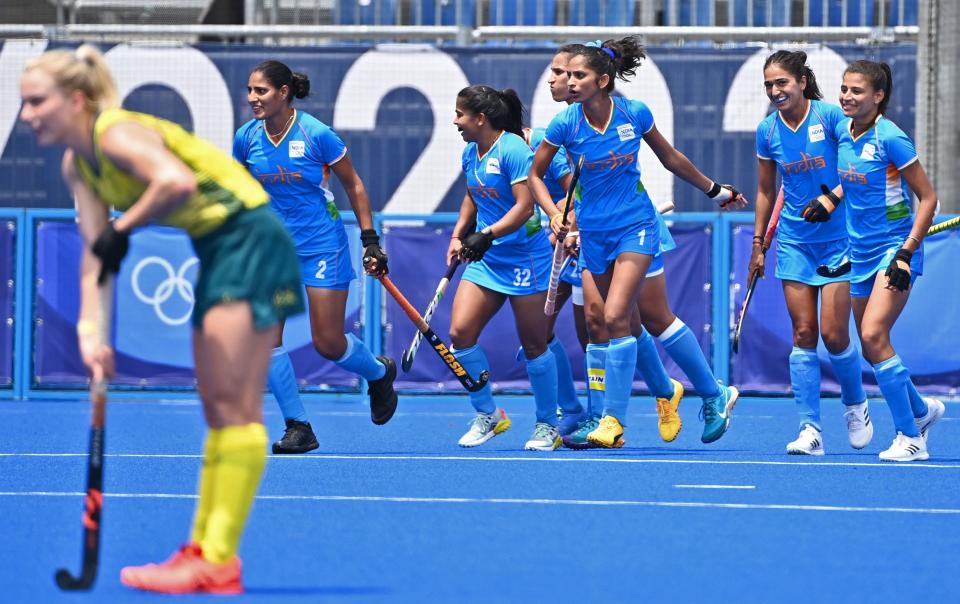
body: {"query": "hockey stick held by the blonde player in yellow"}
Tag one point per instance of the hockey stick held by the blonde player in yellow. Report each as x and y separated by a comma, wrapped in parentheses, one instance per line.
(94, 500)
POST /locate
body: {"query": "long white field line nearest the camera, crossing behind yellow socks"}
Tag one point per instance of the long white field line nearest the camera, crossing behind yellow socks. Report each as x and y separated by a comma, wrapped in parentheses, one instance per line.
(511, 501)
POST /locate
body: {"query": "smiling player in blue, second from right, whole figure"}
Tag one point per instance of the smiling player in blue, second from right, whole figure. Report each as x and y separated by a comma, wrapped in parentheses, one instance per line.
(798, 141)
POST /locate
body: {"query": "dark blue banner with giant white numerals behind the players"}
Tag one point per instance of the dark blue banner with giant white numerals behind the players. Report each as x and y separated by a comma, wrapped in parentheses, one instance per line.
(393, 109)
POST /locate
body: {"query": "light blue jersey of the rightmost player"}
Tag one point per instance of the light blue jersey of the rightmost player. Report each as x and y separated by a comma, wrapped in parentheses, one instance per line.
(879, 214)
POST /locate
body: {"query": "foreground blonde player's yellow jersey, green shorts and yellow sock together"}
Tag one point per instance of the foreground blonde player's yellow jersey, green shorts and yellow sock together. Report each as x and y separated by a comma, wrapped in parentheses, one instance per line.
(245, 255)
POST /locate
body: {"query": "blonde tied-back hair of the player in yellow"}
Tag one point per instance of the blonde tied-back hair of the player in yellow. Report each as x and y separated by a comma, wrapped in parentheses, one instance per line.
(83, 69)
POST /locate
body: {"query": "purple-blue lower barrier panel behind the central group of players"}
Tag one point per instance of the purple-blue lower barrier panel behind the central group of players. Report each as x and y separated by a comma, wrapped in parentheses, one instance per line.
(418, 263)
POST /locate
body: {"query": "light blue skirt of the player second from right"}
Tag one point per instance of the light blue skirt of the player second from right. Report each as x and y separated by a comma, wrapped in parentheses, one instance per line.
(814, 263)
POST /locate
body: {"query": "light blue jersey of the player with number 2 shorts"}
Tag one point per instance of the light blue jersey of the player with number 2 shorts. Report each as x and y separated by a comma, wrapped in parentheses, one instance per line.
(296, 174)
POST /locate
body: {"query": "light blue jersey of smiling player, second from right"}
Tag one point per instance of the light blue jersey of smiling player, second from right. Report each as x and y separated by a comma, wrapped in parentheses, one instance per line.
(806, 158)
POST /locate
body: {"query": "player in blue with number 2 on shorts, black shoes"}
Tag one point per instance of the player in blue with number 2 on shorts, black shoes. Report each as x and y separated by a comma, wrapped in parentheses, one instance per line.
(291, 153)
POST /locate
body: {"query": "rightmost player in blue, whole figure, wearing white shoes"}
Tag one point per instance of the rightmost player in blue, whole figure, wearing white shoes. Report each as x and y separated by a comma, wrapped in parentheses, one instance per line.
(876, 163)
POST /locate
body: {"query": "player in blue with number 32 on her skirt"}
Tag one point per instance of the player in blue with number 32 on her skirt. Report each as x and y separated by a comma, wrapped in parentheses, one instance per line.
(510, 258)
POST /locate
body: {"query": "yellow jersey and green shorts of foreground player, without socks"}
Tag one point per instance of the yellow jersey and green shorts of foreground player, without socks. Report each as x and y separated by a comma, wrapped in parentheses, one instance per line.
(244, 251)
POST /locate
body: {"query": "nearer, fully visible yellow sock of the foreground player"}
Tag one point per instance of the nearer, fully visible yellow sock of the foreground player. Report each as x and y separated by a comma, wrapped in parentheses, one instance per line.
(240, 458)
